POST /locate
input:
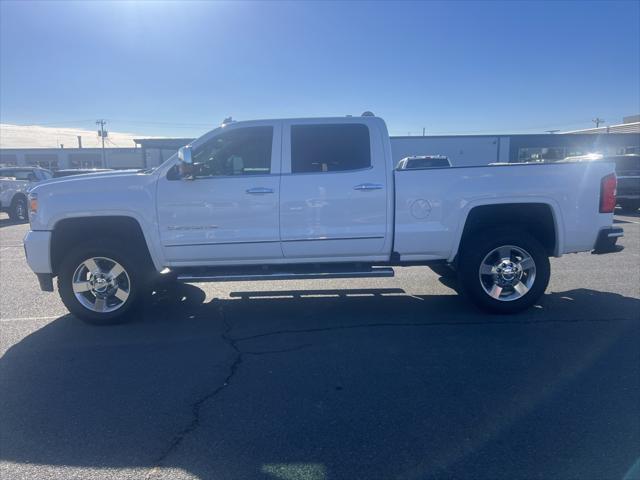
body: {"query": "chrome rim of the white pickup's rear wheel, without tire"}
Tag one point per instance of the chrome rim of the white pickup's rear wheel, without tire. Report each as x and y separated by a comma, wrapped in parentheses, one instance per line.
(507, 273)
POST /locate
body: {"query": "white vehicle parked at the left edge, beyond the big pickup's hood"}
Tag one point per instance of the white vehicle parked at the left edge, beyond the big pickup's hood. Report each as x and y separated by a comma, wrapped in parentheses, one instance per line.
(14, 185)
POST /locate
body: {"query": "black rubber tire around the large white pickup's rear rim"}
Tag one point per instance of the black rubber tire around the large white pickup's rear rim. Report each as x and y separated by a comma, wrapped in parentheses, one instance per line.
(482, 244)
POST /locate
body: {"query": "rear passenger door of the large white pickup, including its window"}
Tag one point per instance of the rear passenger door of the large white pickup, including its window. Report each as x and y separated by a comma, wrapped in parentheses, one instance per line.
(334, 191)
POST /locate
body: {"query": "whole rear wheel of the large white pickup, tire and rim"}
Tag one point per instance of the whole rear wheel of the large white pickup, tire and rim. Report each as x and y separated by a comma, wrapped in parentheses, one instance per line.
(504, 271)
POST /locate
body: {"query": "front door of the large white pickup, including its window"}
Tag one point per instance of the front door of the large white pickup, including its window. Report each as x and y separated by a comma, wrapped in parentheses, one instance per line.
(229, 212)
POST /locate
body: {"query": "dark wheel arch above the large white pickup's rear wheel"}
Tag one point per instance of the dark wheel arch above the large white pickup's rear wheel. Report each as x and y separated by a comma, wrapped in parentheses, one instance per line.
(540, 217)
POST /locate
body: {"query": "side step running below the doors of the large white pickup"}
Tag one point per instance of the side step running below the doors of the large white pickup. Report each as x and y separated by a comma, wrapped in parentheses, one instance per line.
(280, 272)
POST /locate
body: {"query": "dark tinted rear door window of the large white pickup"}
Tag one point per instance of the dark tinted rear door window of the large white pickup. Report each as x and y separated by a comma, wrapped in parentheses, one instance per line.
(329, 148)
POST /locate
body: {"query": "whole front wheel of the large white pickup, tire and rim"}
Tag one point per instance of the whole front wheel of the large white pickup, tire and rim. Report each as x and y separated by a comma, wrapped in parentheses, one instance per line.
(100, 283)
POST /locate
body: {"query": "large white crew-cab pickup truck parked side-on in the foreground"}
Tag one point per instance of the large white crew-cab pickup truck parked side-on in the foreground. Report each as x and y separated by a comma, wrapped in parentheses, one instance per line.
(312, 198)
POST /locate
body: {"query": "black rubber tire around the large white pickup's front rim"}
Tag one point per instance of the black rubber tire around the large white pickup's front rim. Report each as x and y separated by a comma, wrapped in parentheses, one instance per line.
(110, 249)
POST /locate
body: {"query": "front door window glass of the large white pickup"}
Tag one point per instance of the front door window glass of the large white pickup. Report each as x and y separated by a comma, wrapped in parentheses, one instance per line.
(241, 151)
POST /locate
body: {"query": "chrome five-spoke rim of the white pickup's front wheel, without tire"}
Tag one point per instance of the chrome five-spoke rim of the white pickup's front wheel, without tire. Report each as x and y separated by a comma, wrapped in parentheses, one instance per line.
(101, 284)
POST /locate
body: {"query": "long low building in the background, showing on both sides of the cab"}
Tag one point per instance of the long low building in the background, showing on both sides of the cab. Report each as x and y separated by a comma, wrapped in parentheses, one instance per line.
(462, 150)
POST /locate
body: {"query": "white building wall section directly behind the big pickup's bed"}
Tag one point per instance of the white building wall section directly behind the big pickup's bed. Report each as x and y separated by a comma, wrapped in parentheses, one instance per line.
(462, 151)
